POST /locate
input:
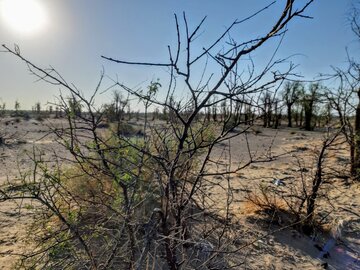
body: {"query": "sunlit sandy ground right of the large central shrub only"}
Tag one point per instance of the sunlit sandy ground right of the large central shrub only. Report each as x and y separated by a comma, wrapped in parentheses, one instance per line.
(292, 154)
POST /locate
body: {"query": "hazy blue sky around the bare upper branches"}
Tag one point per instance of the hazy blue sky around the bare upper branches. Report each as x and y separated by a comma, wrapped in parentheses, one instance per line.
(72, 35)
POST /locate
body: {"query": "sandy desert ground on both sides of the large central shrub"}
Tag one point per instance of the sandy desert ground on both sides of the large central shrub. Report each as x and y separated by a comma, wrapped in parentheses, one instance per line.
(288, 149)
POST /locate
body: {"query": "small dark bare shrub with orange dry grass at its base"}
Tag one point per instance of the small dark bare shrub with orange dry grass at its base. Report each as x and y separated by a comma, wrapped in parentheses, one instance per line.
(301, 197)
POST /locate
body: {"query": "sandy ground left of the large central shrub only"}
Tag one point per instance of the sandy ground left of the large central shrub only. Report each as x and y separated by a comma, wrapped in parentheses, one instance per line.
(15, 218)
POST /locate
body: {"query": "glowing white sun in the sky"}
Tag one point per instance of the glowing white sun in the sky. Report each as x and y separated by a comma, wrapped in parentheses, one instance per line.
(23, 16)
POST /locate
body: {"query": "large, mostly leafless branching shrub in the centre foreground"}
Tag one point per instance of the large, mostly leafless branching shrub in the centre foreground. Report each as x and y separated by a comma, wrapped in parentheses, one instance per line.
(149, 204)
